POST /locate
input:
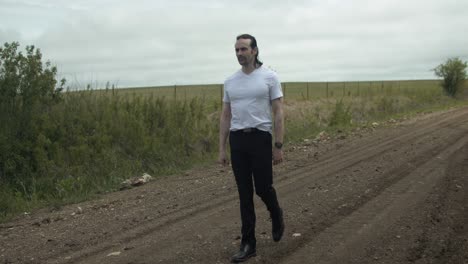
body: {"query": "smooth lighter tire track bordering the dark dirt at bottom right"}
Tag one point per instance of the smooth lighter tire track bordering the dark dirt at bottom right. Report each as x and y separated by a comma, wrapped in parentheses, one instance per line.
(345, 239)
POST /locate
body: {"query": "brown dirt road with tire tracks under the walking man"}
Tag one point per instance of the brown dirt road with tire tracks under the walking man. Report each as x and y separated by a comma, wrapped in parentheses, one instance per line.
(398, 194)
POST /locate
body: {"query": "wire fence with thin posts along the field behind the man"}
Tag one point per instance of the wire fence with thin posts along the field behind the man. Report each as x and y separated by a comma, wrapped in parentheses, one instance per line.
(297, 90)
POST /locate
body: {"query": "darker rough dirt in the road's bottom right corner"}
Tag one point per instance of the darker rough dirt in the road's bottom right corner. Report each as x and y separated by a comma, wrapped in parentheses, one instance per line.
(435, 231)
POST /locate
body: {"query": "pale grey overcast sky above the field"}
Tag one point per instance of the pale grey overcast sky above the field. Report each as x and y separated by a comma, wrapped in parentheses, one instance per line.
(155, 42)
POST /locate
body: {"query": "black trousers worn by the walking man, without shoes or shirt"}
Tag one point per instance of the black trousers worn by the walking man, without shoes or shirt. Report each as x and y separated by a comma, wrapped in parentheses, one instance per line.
(251, 156)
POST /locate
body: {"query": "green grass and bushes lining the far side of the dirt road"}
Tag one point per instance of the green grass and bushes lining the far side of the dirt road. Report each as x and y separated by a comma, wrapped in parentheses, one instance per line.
(59, 147)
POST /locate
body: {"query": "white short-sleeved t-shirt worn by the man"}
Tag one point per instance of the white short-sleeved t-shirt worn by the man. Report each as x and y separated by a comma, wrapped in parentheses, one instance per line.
(250, 96)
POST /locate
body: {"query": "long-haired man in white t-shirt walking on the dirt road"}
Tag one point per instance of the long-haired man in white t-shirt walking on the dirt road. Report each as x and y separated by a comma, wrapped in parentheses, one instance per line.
(251, 95)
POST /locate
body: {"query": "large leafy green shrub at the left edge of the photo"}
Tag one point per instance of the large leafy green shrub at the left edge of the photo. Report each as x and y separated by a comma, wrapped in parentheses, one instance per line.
(28, 91)
